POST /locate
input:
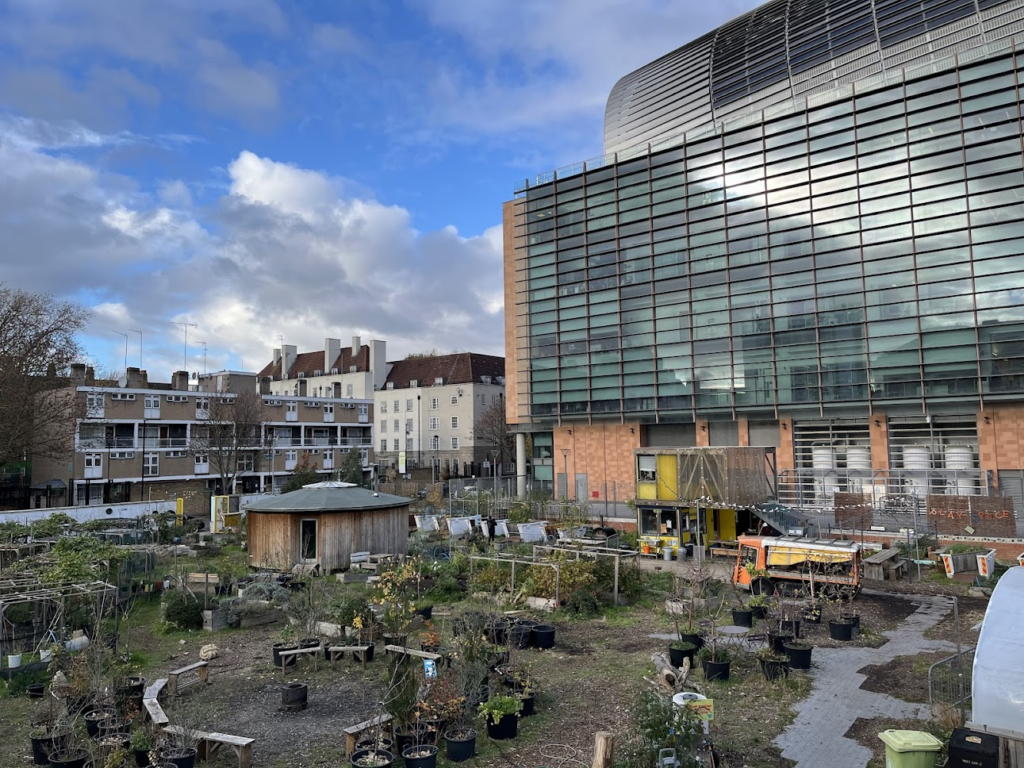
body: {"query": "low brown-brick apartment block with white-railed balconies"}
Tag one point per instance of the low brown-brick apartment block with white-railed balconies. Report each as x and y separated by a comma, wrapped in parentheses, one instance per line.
(142, 441)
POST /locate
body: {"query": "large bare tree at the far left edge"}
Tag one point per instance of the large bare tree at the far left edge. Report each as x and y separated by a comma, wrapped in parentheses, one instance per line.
(37, 347)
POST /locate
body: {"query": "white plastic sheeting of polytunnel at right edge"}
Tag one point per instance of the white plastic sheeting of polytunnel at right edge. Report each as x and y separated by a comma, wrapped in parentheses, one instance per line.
(999, 675)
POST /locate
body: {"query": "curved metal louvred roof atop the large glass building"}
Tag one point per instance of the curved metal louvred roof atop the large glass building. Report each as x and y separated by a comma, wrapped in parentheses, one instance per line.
(790, 49)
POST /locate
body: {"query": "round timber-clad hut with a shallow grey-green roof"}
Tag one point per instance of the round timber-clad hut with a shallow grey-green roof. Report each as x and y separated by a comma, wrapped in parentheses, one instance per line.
(324, 524)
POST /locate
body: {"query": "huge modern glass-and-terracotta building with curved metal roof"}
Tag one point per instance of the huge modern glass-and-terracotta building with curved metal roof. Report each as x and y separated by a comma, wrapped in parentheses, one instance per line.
(806, 235)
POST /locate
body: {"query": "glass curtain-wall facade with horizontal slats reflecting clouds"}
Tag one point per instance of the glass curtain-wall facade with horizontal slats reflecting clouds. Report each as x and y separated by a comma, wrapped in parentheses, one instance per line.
(866, 251)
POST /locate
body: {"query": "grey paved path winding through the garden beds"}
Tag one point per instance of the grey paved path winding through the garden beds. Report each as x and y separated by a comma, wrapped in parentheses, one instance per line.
(816, 738)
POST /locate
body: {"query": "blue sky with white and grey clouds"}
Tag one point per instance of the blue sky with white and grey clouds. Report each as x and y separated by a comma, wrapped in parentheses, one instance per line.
(252, 173)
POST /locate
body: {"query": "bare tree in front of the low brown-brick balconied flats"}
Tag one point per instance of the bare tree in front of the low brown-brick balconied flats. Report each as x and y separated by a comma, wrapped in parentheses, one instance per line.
(234, 439)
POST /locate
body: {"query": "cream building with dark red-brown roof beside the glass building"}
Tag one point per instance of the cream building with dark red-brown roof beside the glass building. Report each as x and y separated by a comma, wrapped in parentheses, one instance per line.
(429, 410)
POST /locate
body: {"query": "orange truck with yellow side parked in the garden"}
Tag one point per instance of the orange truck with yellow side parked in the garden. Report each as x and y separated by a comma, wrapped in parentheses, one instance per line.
(828, 567)
